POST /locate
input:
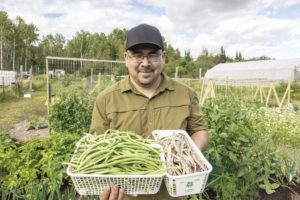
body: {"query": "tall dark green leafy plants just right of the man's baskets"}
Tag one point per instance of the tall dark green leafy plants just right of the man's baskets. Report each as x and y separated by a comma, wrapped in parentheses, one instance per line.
(243, 157)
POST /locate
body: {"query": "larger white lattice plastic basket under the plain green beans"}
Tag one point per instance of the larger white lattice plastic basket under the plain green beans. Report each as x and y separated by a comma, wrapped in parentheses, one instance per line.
(93, 184)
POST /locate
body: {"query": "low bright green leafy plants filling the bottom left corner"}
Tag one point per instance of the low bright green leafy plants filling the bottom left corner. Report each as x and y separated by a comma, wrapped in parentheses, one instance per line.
(35, 169)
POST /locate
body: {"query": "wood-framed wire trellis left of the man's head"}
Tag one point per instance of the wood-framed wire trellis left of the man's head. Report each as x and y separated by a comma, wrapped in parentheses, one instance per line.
(63, 73)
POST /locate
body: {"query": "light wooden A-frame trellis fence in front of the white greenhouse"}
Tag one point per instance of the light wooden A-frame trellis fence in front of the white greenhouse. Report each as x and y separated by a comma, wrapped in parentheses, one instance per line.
(259, 90)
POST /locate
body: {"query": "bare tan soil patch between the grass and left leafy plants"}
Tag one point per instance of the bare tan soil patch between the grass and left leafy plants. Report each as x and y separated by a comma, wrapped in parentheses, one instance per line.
(21, 134)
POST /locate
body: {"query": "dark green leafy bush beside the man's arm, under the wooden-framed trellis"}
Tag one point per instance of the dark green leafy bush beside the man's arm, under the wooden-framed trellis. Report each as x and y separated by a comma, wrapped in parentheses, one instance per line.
(72, 113)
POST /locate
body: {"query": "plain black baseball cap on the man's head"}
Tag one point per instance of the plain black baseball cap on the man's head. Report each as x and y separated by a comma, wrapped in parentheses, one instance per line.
(144, 34)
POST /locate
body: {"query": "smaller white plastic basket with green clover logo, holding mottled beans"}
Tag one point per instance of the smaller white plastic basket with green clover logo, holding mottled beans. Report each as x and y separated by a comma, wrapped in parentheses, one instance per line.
(190, 183)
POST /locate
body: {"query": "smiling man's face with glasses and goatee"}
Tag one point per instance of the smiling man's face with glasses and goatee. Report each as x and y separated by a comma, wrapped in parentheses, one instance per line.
(145, 63)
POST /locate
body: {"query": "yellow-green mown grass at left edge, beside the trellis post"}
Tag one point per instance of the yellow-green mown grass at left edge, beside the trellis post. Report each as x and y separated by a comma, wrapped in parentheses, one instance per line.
(15, 109)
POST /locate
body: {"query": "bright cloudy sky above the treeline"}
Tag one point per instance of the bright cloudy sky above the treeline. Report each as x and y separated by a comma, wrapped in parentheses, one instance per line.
(253, 27)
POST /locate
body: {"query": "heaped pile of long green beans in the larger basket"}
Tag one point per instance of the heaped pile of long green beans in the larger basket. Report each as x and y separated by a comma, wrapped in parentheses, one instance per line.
(117, 153)
